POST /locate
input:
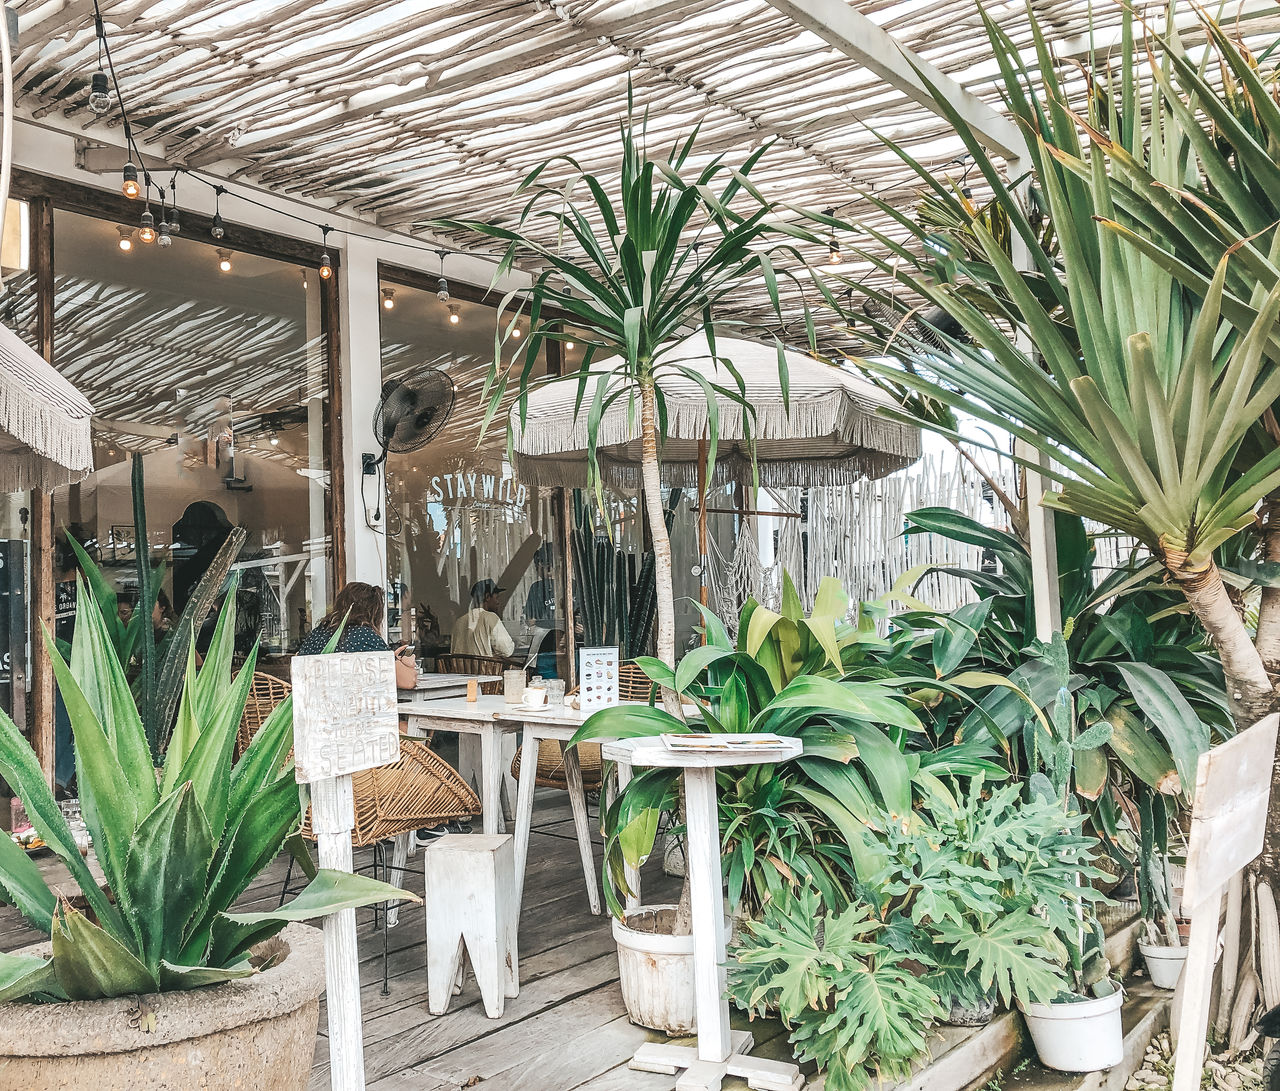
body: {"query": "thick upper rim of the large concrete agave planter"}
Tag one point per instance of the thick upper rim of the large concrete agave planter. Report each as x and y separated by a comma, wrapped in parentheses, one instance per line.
(76, 1028)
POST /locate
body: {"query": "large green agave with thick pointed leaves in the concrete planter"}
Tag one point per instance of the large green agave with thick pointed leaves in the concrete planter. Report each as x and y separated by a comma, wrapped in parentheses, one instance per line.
(177, 846)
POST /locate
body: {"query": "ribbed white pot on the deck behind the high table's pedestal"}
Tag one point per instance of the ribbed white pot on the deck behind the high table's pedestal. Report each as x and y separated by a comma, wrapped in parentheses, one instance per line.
(656, 971)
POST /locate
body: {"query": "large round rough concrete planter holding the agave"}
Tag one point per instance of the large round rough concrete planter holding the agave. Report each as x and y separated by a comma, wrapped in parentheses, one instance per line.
(257, 1034)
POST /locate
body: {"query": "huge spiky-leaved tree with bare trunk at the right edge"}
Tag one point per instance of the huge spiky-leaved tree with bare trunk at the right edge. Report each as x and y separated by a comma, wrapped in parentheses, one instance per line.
(1150, 408)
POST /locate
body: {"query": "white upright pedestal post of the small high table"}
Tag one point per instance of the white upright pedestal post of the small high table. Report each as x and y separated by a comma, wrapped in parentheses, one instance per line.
(707, 903)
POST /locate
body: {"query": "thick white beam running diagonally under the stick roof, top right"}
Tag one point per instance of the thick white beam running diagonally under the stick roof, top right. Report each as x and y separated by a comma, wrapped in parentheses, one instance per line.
(862, 40)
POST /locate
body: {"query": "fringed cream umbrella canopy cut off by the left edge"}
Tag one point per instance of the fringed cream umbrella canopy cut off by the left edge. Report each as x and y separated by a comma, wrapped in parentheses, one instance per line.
(44, 422)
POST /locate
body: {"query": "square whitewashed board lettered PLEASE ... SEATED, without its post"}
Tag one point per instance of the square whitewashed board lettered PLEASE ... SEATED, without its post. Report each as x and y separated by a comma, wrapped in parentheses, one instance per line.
(345, 718)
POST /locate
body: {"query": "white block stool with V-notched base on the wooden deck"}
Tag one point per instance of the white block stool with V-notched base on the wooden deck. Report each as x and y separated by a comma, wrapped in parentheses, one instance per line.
(472, 903)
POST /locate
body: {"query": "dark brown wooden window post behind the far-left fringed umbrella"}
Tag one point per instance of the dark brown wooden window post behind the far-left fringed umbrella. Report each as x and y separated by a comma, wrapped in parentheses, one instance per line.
(43, 706)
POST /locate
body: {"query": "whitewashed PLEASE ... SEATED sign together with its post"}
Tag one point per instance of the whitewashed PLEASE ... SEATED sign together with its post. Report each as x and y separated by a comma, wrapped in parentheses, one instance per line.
(345, 720)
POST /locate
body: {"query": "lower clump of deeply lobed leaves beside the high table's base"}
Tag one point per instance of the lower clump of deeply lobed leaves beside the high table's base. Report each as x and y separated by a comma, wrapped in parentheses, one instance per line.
(851, 1002)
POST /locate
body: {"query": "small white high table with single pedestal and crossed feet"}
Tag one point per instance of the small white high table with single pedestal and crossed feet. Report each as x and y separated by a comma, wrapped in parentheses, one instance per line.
(720, 1052)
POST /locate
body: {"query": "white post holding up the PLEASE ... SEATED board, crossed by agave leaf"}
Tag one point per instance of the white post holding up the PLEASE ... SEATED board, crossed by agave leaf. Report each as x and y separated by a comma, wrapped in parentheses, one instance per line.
(332, 819)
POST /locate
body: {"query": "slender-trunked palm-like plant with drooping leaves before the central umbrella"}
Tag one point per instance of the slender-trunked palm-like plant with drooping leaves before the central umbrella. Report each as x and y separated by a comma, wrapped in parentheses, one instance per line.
(643, 272)
